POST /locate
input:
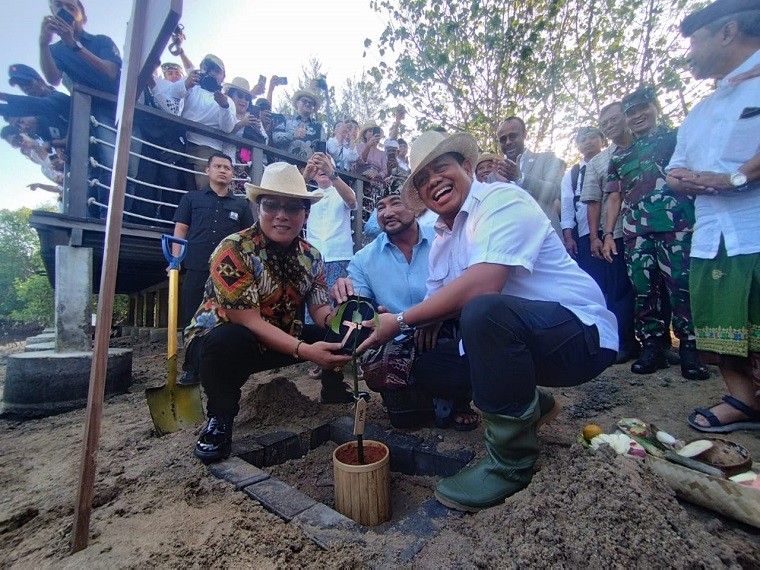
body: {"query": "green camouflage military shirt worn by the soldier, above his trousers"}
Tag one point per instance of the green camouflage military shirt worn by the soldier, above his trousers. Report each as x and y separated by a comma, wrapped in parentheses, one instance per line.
(648, 204)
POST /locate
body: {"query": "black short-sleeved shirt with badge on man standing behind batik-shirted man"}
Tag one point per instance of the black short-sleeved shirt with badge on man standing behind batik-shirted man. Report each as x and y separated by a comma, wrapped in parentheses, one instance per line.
(211, 219)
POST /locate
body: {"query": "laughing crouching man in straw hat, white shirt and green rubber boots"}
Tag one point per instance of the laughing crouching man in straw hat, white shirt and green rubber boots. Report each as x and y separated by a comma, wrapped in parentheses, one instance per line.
(528, 315)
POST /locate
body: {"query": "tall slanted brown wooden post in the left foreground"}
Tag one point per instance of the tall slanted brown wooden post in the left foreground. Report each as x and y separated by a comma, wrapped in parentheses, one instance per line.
(87, 467)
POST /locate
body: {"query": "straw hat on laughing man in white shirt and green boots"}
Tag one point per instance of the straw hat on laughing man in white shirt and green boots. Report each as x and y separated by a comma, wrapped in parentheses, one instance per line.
(426, 148)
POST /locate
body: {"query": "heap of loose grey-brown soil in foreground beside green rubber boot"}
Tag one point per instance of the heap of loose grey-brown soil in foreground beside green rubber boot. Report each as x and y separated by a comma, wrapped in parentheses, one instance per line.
(585, 509)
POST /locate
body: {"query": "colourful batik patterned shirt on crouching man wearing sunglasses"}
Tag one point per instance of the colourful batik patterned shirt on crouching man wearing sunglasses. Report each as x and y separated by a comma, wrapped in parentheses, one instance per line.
(249, 271)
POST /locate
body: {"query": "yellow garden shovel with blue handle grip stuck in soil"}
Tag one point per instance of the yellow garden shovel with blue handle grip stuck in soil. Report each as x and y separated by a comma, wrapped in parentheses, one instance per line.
(174, 407)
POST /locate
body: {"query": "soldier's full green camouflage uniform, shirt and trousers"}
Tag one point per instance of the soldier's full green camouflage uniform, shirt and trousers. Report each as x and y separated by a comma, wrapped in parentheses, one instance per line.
(657, 226)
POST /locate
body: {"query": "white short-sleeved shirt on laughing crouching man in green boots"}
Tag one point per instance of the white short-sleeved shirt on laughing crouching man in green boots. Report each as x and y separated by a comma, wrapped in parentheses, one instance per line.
(501, 223)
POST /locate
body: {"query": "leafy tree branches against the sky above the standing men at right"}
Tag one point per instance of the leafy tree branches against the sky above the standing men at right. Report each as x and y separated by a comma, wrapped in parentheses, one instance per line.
(468, 65)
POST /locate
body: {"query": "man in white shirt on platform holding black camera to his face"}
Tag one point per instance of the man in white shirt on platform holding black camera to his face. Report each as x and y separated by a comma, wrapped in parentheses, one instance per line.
(205, 104)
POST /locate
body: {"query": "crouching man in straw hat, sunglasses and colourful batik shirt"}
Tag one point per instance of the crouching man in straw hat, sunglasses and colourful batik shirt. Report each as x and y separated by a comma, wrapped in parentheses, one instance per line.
(249, 318)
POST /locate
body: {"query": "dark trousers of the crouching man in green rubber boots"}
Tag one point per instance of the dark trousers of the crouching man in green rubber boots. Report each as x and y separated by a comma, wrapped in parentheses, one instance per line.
(511, 346)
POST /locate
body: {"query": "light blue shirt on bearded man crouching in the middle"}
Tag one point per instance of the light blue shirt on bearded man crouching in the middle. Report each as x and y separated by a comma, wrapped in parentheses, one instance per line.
(380, 271)
